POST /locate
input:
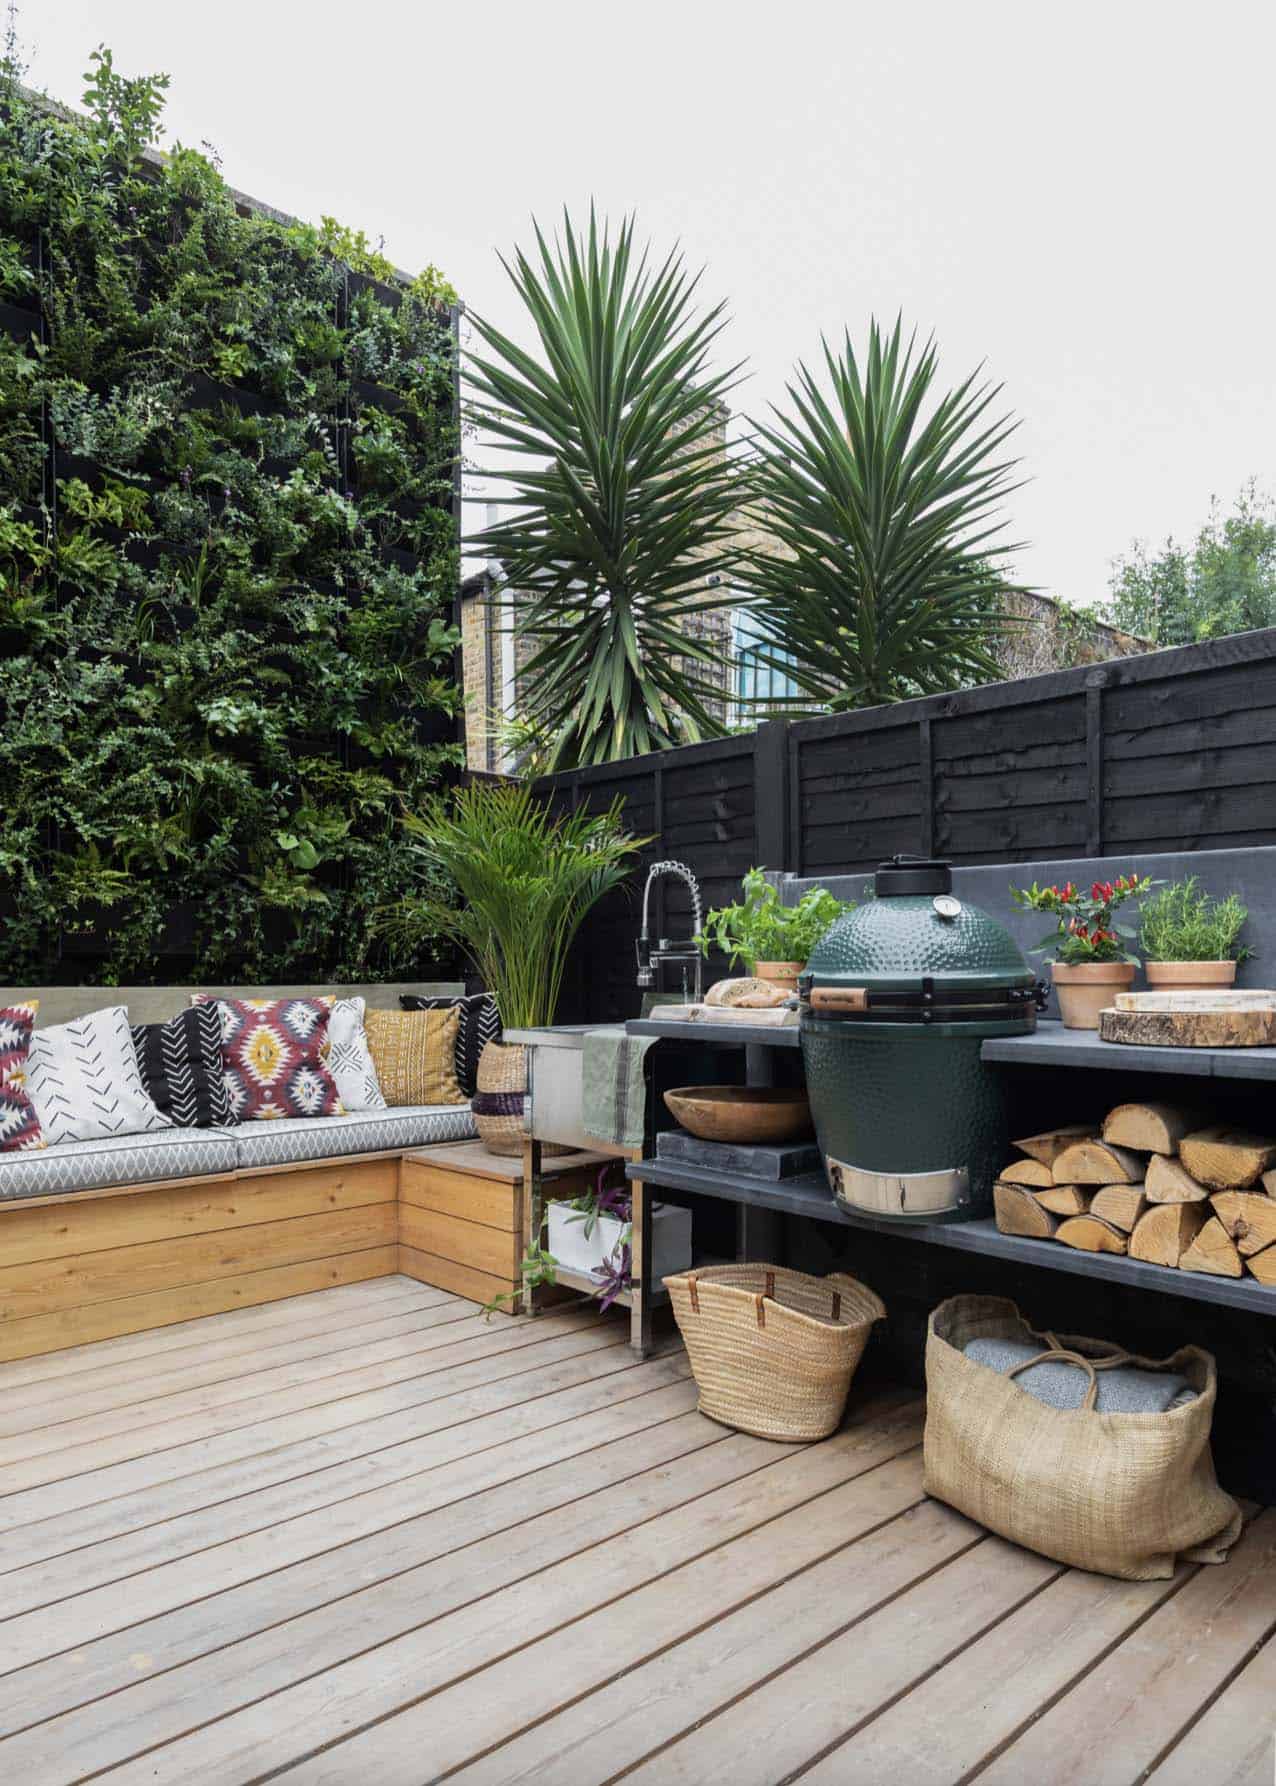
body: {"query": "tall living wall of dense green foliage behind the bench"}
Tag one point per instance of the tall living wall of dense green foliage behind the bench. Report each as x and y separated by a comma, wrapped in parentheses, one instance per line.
(228, 563)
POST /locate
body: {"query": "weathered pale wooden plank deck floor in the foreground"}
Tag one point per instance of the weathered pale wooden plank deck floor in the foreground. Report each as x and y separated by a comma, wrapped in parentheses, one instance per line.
(365, 1539)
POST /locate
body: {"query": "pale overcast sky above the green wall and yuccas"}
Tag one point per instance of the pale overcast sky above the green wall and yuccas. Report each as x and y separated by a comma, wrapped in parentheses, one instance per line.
(1080, 197)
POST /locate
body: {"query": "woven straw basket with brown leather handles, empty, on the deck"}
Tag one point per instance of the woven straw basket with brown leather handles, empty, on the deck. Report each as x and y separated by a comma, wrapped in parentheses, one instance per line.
(773, 1351)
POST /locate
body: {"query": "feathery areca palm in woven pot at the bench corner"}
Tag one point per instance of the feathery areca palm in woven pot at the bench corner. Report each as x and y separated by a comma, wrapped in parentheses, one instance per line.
(525, 878)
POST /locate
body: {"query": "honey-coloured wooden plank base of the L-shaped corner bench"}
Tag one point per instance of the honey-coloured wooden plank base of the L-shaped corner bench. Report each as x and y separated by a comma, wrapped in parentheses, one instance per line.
(90, 1265)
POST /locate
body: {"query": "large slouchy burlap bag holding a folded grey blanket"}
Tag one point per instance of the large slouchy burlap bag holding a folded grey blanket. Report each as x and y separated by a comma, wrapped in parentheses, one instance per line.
(1120, 1494)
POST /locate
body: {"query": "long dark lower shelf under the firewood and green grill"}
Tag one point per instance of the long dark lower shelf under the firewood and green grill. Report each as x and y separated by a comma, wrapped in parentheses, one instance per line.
(809, 1196)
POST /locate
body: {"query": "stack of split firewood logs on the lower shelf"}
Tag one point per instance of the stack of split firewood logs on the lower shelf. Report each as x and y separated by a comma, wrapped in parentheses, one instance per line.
(1150, 1183)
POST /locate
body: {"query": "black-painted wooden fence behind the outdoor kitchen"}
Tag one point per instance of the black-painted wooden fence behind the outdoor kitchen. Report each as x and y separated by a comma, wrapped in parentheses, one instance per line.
(1173, 751)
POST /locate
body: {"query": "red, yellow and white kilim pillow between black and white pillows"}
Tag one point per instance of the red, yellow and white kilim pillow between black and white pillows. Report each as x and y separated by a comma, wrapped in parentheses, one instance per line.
(273, 1056)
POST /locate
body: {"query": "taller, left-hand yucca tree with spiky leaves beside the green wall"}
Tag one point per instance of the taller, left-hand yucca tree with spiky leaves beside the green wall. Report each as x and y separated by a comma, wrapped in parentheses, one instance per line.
(617, 513)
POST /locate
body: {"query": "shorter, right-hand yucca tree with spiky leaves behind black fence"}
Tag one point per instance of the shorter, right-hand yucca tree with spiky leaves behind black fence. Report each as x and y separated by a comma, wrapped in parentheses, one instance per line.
(882, 508)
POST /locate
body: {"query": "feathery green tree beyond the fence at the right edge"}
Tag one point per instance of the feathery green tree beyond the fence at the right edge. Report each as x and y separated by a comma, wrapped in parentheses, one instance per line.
(1223, 583)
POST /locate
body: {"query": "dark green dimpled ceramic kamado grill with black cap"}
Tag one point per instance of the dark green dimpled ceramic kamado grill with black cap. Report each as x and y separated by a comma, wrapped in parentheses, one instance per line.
(896, 1003)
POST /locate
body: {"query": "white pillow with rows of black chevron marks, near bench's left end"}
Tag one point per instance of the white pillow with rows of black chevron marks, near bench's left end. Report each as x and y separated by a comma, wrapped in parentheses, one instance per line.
(85, 1080)
